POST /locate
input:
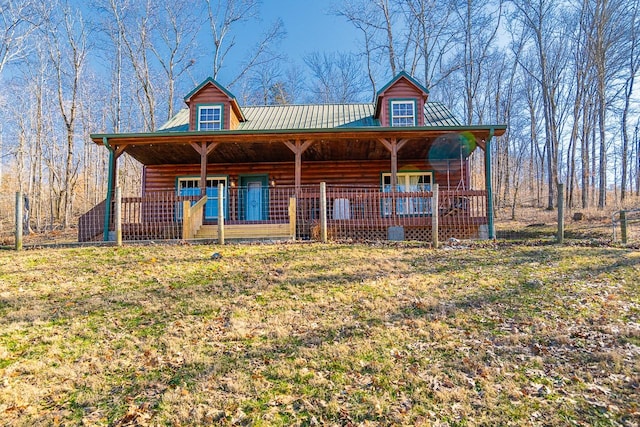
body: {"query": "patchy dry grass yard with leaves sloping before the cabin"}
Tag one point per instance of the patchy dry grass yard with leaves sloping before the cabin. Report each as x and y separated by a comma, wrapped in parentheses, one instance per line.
(312, 334)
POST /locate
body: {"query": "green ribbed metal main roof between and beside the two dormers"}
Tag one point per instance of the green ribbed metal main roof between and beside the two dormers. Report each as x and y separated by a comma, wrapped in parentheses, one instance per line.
(317, 116)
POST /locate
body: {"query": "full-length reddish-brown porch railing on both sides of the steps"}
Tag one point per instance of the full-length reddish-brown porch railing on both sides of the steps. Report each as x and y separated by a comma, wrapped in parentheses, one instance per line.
(353, 212)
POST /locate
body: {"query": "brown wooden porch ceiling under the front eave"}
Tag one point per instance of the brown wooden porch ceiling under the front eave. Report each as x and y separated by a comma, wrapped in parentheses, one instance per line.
(175, 148)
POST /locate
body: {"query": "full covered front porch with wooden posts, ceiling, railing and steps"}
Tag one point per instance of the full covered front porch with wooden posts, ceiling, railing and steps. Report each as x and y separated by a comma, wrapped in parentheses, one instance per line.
(291, 167)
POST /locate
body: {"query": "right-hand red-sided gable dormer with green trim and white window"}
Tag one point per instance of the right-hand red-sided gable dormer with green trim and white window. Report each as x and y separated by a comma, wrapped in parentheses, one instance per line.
(401, 102)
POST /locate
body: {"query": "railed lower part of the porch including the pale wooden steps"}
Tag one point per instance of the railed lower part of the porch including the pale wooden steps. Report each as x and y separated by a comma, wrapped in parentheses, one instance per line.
(292, 212)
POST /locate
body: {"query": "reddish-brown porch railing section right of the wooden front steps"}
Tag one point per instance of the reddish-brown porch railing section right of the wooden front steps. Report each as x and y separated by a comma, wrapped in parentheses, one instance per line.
(368, 213)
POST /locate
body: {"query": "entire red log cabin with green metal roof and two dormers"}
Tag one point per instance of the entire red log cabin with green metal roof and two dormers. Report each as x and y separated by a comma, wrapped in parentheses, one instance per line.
(258, 170)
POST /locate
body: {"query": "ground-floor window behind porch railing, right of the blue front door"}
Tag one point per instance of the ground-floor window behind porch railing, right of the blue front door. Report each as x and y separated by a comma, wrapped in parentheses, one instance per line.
(408, 182)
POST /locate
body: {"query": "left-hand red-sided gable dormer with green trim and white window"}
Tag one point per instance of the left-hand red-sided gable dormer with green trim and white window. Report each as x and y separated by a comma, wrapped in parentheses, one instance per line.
(212, 107)
